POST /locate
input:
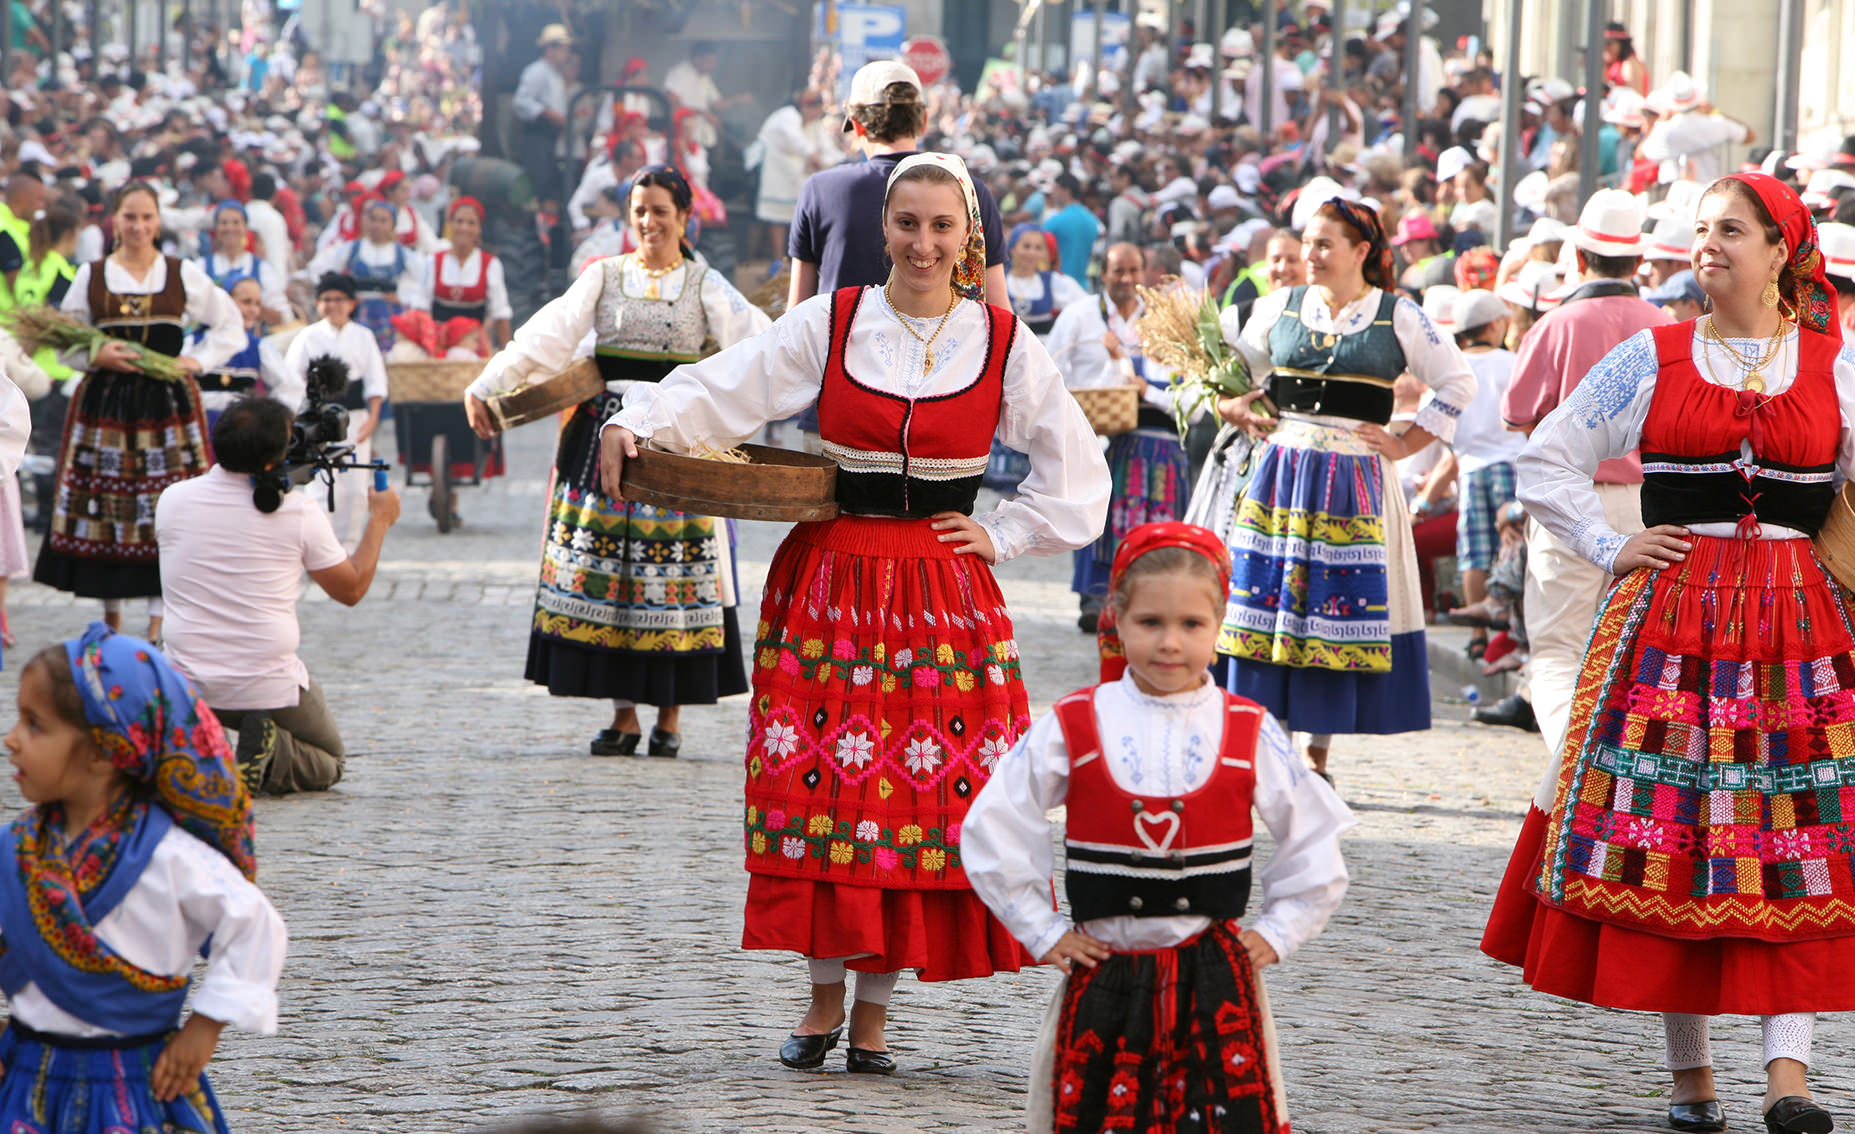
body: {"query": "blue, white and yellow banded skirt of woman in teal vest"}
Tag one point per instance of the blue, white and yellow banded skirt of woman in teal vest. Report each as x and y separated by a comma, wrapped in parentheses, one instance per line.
(1325, 617)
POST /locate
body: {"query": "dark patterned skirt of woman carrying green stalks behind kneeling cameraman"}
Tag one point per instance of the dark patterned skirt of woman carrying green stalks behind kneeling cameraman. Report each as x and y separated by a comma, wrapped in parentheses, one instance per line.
(127, 439)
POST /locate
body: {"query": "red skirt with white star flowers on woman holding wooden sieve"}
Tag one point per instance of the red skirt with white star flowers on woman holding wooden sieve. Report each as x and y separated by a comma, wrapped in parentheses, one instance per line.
(886, 688)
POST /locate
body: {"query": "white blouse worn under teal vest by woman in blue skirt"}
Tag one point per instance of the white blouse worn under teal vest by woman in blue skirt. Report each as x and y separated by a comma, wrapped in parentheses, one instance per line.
(1429, 355)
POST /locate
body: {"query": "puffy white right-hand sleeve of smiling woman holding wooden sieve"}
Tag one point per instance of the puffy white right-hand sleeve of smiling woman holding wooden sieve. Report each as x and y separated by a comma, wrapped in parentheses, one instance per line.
(1064, 502)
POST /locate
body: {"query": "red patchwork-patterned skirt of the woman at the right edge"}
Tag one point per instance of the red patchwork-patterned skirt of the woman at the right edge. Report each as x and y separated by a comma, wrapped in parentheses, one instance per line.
(1700, 855)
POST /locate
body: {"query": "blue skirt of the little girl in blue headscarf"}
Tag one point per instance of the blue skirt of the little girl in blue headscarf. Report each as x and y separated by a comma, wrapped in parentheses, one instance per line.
(51, 1089)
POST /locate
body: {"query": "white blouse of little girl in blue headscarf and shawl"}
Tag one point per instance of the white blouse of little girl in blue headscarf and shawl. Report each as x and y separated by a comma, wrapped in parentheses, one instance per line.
(186, 894)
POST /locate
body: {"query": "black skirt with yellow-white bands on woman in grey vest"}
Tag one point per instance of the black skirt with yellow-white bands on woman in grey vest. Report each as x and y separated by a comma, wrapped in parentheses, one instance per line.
(633, 602)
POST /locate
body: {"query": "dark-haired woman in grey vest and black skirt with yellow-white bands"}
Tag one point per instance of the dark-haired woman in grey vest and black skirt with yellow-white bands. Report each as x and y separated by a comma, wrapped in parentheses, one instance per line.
(635, 604)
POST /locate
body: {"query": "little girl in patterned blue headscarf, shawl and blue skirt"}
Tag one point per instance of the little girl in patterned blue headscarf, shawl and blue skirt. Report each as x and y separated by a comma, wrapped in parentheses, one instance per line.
(138, 851)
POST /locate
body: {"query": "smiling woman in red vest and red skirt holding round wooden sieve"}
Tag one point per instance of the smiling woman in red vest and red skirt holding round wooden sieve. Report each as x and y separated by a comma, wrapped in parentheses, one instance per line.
(888, 682)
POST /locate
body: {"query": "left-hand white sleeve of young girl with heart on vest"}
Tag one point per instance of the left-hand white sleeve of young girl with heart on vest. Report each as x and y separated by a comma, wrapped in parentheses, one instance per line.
(1006, 845)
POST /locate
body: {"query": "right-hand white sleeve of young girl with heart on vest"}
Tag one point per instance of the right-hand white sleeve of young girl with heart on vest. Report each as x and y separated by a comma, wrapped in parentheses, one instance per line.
(1307, 875)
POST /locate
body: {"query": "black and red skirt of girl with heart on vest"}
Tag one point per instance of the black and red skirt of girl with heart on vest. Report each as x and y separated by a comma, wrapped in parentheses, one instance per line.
(1168, 1040)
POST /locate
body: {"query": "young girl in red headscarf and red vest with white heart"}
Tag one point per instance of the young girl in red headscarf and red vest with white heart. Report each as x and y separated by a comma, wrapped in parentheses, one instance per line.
(1160, 1024)
